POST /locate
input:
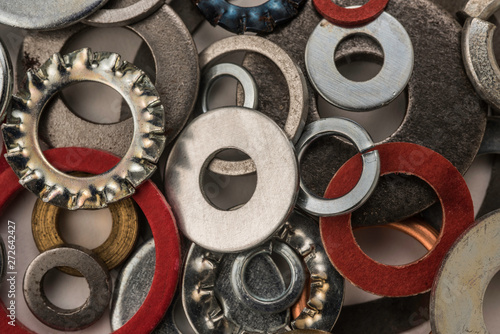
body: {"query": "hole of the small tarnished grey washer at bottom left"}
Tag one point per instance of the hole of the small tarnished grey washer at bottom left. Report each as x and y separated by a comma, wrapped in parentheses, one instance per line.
(65, 291)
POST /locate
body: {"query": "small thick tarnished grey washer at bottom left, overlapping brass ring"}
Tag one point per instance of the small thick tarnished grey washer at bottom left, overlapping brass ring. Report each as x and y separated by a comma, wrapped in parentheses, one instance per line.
(90, 266)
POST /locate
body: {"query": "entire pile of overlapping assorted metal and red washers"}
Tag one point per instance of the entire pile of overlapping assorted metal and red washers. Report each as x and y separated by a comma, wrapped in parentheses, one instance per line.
(185, 264)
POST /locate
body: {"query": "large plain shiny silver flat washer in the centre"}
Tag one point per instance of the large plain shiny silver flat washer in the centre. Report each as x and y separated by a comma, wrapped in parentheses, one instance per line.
(278, 176)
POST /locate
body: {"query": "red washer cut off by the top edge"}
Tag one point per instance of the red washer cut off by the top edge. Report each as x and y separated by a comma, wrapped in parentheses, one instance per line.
(350, 17)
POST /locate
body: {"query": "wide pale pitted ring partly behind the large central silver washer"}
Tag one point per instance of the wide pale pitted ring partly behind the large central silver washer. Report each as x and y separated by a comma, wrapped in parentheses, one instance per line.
(297, 87)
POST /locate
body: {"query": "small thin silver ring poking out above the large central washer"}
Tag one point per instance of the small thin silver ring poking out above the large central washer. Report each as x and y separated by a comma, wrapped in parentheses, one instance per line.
(219, 71)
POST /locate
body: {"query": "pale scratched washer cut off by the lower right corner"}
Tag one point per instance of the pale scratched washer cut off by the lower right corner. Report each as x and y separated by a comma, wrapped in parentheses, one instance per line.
(458, 292)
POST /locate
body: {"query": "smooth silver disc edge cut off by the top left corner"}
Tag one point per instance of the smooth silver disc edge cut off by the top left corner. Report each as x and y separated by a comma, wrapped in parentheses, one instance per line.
(45, 15)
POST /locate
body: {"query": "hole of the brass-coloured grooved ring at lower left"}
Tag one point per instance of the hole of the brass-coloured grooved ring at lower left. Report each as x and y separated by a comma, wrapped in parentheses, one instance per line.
(87, 228)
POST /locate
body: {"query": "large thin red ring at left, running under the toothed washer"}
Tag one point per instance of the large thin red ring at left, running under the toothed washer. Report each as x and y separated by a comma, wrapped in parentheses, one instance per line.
(160, 219)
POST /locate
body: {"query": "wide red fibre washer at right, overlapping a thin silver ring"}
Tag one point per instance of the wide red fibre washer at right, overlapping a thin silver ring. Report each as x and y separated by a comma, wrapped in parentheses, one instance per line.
(417, 277)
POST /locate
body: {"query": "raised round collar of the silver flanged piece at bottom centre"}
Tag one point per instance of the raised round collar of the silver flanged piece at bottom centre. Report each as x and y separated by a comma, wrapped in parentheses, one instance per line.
(281, 303)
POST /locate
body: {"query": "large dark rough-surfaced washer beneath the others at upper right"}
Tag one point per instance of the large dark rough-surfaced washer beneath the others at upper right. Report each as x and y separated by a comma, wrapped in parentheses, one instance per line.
(441, 103)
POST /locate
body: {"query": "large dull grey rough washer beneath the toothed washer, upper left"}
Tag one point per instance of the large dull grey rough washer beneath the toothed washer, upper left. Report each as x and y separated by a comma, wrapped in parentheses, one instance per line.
(177, 80)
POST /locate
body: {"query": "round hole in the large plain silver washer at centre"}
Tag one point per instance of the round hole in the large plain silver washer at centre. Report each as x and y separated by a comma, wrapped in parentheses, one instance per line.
(228, 192)
